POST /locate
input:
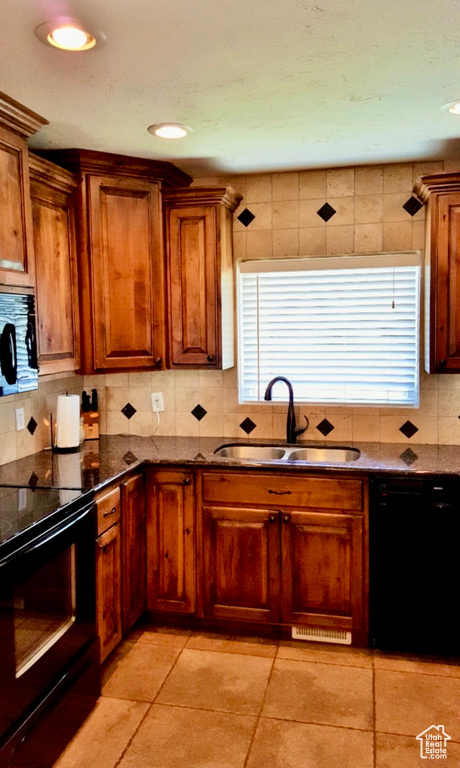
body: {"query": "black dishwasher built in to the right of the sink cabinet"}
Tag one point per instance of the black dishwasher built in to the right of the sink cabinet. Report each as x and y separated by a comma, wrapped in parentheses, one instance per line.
(415, 564)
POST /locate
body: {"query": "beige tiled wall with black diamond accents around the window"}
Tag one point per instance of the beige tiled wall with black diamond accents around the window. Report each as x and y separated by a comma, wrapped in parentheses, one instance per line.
(370, 216)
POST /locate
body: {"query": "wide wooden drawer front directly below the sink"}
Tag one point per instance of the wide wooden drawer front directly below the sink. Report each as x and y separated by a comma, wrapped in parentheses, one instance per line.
(345, 494)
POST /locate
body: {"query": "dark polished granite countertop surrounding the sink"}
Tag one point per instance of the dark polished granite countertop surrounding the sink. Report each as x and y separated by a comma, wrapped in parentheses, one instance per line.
(112, 456)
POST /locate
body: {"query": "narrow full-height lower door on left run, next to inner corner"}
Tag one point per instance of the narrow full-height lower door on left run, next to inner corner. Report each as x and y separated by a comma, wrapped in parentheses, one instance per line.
(133, 522)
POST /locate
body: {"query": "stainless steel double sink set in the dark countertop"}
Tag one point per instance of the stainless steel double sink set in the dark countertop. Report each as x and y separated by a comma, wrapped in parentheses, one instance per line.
(306, 453)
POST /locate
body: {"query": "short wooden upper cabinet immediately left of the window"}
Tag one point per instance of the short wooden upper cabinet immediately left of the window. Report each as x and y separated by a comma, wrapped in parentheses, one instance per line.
(199, 256)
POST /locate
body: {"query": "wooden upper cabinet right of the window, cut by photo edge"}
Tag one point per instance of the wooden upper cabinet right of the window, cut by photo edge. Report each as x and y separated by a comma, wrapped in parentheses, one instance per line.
(442, 310)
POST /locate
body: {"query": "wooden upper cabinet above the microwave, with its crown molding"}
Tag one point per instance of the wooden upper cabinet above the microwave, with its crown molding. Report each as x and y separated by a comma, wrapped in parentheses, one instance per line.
(16, 239)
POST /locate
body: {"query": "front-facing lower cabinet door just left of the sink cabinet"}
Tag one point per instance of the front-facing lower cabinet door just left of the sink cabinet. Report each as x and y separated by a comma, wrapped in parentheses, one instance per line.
(170, 542)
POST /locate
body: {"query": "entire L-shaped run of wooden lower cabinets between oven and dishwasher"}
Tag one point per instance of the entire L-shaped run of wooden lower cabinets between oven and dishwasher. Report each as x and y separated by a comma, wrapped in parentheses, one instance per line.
(198, 547)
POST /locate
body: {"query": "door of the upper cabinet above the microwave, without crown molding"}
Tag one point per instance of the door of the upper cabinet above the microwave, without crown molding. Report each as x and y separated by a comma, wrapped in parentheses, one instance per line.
(16, 241)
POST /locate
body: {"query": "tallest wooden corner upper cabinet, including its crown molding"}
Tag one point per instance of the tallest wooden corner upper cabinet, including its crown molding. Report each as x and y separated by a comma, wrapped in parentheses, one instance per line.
(120, 258)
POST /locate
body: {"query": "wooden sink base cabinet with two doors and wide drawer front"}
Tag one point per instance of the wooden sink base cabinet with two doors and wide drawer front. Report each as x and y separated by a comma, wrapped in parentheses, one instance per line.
(286, 564)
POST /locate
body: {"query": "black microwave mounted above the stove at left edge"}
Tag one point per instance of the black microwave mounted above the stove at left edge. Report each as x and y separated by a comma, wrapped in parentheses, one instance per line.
(18, 346)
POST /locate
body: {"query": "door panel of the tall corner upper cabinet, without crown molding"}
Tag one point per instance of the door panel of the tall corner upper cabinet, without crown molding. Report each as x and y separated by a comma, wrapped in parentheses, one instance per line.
(127, 275)
